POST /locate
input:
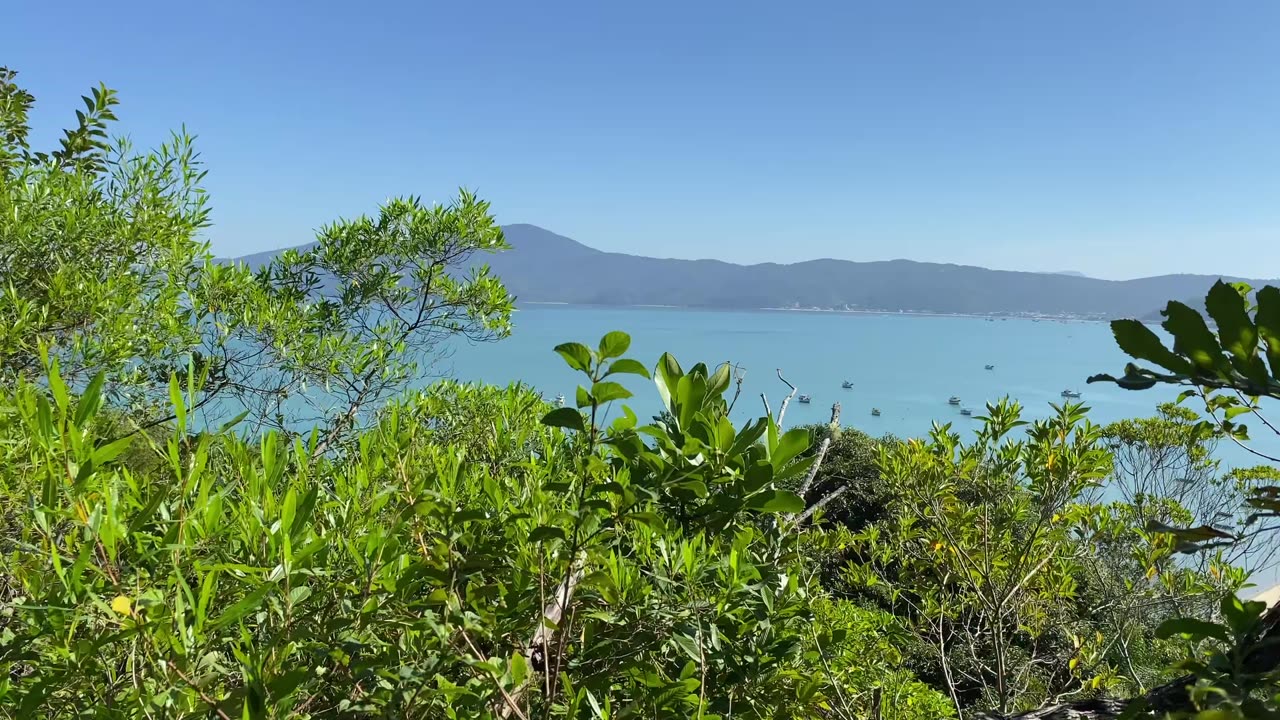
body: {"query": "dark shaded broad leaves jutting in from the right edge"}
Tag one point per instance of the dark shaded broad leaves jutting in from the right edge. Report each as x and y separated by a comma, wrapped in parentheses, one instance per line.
(1229, 372)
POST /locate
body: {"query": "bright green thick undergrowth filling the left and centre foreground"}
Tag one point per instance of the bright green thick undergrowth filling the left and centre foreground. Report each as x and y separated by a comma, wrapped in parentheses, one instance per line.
(415, 577)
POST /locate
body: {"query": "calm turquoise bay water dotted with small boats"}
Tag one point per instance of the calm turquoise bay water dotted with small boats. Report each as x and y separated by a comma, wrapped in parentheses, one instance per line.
(907, 366)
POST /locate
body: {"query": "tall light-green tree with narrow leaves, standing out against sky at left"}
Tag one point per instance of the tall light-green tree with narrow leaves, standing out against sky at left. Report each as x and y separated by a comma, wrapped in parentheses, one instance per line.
(104, 271)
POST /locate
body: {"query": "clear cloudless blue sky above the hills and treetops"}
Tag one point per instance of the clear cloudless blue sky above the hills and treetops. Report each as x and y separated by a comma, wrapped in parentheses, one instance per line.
(1119, 139)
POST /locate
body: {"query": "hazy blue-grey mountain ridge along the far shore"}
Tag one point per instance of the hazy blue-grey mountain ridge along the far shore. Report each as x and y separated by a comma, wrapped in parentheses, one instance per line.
(545, 267)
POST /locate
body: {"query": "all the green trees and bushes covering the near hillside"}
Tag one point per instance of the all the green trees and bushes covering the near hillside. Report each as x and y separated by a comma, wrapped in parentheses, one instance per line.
(222, 496)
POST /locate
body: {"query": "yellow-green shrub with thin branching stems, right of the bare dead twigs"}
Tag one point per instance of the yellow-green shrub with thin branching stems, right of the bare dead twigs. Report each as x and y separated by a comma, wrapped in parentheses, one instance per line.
(979, 553)
